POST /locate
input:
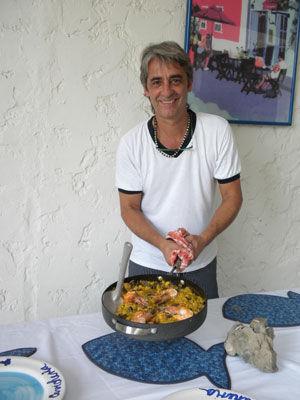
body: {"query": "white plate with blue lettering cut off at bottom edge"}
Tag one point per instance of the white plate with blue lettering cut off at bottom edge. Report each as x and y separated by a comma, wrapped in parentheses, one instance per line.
(204, 394)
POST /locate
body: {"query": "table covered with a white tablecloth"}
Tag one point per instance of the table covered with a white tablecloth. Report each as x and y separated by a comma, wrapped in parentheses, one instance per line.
(58, 341)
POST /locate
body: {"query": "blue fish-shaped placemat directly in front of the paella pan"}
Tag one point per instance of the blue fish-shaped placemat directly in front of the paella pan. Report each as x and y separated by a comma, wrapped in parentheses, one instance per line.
(165, 362)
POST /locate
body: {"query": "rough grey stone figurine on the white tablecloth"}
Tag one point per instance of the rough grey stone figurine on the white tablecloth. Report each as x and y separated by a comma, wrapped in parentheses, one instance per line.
(254, 343)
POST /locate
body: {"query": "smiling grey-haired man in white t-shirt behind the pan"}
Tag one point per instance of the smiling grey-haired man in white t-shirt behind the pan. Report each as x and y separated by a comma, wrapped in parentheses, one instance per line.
(167, 169)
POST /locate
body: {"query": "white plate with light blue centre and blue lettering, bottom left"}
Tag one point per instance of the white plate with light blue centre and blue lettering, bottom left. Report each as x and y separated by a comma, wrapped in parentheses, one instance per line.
(25, 378)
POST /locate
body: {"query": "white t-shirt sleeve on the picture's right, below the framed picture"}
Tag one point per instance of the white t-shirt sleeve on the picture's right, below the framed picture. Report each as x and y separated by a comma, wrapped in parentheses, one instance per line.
(228, 163)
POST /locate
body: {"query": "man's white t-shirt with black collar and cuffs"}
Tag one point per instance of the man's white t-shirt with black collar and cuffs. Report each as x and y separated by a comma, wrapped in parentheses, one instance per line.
(177, 192)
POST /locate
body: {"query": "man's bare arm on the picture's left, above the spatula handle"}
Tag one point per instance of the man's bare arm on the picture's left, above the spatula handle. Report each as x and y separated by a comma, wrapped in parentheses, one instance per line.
(137, 222)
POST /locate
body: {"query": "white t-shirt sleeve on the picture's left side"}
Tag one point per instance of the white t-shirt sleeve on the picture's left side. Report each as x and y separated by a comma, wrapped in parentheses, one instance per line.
(128, 176)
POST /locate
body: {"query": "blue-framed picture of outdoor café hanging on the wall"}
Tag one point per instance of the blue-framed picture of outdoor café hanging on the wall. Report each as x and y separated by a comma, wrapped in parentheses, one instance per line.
(244, 58)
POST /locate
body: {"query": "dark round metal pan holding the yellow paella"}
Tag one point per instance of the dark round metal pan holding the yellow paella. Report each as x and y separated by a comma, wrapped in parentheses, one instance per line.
(155, 332)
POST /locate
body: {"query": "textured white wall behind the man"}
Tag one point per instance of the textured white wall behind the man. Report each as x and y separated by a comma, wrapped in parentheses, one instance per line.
(69, 90)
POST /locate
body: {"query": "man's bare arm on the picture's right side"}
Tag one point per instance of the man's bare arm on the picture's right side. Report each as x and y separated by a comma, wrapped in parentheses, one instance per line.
(232, 199)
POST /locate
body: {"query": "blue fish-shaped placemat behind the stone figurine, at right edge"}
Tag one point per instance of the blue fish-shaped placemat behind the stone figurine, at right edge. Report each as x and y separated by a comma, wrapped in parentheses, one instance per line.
(279, 311)
